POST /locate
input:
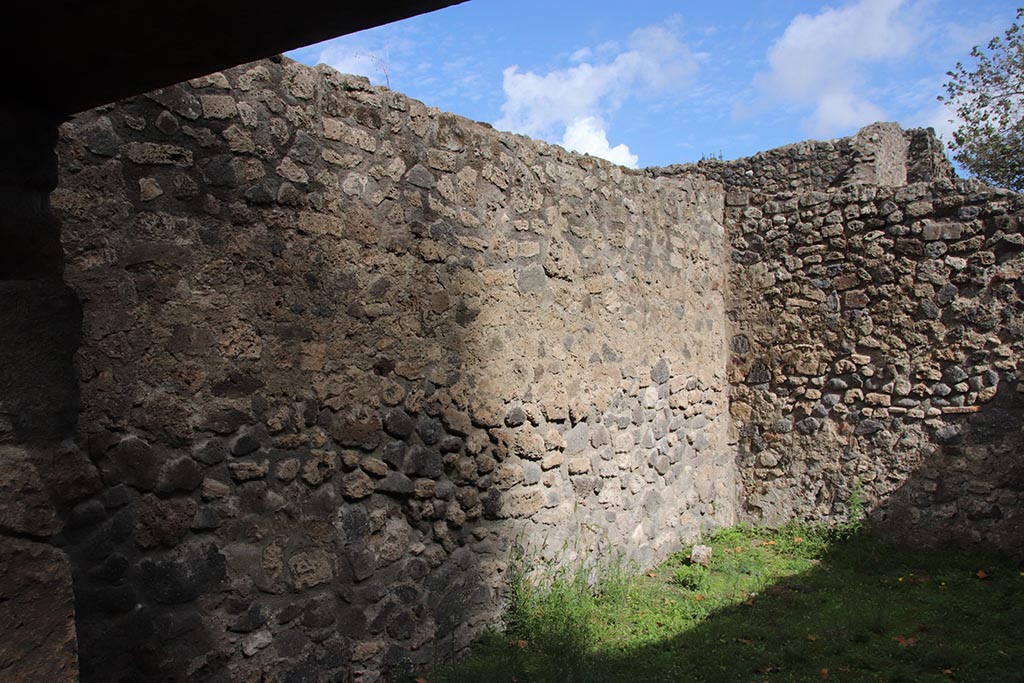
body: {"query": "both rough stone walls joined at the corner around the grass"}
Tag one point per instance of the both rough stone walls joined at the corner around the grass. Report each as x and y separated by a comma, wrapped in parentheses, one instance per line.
(342, 352)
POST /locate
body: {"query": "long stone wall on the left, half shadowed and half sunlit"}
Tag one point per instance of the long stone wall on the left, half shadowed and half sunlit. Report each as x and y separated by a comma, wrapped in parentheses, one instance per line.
(342, 351)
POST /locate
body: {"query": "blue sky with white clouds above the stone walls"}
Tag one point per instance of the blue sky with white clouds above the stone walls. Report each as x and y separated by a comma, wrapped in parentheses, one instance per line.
(654, 82)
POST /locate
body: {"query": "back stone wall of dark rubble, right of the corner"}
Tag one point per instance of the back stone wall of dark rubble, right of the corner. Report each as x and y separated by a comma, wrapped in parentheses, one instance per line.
(878, 336)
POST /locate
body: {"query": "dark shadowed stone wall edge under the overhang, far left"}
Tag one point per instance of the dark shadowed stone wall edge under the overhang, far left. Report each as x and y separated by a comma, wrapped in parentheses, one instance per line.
(39, 331)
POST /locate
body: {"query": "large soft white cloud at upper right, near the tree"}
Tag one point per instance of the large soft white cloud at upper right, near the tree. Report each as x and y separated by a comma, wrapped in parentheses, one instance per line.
(820, 61)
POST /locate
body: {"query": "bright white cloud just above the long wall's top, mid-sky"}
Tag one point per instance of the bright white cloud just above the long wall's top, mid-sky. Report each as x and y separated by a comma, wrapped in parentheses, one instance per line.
(573, 104)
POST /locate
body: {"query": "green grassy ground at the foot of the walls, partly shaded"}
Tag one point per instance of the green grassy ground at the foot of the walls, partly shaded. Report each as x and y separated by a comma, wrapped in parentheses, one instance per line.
(800, 604)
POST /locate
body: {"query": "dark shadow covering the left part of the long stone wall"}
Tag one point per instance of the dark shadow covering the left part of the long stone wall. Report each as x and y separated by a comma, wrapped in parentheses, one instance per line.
(261, 381)
